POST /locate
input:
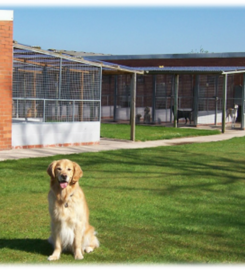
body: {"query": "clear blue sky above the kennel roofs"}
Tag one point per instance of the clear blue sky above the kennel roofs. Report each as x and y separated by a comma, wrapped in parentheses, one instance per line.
(130, 27)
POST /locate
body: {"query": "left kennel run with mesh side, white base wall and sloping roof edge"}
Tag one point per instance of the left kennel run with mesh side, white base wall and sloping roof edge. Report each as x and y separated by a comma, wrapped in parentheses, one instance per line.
(56, 98)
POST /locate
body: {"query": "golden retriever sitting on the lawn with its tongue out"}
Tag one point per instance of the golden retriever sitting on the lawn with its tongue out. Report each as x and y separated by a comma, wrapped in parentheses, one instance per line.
(69, 213)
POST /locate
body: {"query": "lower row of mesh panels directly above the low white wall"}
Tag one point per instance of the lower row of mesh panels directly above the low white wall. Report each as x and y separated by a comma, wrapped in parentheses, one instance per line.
(55, 110)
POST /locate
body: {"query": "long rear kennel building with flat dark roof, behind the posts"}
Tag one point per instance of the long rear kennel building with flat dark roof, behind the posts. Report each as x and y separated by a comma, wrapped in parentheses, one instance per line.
(200, 86)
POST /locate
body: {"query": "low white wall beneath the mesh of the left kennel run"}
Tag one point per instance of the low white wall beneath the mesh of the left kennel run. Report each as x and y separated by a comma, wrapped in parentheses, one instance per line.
(45, 134)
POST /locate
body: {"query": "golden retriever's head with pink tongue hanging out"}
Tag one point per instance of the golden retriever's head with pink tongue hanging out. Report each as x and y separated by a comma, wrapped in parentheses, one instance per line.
(64, 172)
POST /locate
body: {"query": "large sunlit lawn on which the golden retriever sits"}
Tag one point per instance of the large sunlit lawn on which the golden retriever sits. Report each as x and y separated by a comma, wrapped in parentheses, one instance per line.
(165, 207)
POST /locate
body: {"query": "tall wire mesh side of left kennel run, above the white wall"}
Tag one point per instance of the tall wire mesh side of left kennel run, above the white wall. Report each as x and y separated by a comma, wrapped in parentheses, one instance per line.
(48, 88)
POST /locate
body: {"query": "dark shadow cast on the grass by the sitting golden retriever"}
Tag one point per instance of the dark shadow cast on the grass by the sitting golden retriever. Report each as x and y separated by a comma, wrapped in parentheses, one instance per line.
(38, 246)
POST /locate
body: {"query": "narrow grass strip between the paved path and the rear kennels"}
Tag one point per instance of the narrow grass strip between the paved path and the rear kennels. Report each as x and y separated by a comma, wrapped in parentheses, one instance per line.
(149, 133)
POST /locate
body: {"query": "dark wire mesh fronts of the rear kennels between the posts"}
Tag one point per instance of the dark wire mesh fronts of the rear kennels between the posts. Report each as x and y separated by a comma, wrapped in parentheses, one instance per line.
(156, 92)
